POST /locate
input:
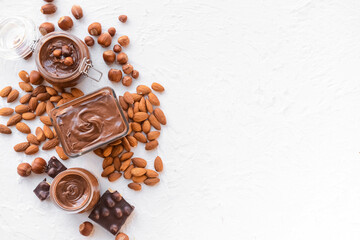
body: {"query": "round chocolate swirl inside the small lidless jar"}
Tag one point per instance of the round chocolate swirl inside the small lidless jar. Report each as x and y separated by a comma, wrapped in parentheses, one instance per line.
(73, 191)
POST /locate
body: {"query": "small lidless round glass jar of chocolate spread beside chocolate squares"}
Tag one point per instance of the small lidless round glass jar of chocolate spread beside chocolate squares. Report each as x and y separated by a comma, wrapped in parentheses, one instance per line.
(75, 190)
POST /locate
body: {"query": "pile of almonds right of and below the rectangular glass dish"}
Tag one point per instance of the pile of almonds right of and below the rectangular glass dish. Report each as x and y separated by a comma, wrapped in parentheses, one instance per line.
(145, 118)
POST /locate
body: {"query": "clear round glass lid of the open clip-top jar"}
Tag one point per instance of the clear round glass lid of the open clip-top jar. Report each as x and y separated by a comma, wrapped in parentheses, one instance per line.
(18, 37)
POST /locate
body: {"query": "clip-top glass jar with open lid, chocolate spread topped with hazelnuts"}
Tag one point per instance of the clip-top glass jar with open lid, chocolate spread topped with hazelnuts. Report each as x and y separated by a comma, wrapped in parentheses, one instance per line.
(61, 58)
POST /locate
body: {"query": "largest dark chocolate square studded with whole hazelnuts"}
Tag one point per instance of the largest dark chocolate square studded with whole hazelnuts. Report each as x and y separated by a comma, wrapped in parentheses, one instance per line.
(111, 211)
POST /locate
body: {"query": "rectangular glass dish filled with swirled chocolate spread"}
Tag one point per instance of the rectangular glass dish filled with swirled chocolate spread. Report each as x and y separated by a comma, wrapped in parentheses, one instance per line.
(89, 122)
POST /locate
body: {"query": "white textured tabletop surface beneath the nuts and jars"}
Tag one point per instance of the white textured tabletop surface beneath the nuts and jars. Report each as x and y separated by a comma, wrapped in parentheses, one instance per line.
(263, 107)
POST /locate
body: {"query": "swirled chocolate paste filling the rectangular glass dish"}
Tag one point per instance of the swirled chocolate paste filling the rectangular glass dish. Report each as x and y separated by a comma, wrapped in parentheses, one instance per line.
(90, 121)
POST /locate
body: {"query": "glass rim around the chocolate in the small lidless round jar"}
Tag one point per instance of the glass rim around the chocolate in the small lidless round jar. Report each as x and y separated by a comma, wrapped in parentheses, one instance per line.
(69, 171)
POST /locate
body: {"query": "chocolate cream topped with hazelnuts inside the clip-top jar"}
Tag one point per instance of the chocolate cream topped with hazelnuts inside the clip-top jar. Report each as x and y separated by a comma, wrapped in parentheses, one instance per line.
(54, 61)
